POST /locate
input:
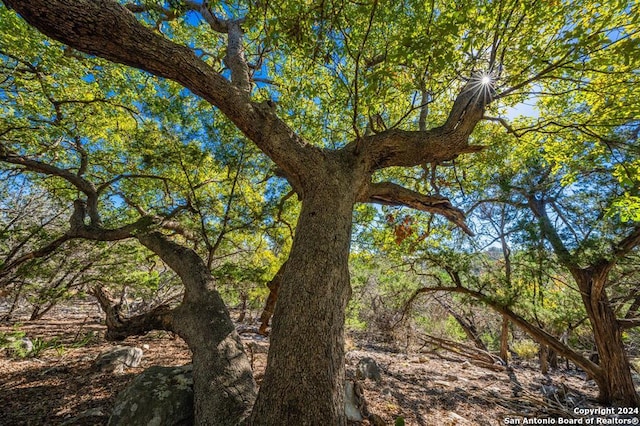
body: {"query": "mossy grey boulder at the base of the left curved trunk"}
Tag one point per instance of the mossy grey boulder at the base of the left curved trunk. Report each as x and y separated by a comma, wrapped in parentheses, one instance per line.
(159, 396)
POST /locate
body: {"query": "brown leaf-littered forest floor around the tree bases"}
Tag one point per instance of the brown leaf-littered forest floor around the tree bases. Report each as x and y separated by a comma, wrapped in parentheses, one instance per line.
(60, 386)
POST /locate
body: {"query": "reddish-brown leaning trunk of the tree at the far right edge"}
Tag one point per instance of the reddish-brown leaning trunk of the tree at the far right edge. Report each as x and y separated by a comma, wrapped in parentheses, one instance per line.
(615, 383)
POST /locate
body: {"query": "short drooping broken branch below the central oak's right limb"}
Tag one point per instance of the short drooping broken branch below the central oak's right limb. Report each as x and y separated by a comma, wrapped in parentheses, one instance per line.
(390, 194)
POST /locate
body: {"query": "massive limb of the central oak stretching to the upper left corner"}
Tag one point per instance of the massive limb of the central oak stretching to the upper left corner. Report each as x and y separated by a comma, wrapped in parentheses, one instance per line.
(109, 30)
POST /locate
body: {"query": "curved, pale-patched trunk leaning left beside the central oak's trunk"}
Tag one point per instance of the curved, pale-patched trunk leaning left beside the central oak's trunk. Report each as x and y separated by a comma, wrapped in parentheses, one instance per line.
(224, 388)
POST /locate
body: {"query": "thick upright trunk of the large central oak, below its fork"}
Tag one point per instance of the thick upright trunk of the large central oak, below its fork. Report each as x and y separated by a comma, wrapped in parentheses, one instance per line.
(304, 380)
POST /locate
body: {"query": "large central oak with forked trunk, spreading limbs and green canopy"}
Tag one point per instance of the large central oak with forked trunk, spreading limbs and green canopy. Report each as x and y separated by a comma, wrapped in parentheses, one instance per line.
(346, 98)
